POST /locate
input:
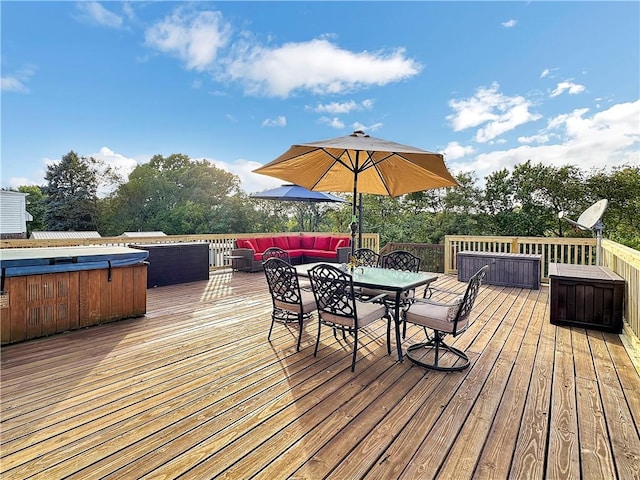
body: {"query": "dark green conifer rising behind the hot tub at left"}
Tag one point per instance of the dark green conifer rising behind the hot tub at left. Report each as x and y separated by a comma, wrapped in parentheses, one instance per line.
(71, 201)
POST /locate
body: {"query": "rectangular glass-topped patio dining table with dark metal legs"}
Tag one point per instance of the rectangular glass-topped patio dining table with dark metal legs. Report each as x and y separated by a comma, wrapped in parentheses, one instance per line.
(394, 281)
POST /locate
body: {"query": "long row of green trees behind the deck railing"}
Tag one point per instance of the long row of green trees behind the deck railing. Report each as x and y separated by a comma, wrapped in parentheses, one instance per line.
(178, 195)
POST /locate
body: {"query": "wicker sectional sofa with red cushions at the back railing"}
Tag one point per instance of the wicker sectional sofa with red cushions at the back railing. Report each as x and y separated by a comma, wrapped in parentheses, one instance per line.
(301, 248)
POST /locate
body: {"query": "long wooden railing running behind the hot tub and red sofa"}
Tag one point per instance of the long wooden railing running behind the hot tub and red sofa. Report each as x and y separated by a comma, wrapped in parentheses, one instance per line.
(220, 245)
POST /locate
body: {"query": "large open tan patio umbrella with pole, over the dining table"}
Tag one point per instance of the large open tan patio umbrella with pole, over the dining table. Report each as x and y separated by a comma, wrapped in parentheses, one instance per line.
(359, 163)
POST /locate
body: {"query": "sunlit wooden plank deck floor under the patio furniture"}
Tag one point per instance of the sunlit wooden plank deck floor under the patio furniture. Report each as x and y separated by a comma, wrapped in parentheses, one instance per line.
(194, 390)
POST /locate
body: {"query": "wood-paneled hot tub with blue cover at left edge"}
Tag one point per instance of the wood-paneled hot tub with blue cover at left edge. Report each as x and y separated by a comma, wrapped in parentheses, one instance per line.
(53, 290)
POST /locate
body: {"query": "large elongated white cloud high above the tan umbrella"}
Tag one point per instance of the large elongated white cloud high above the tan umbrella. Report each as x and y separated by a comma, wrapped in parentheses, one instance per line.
(317, 66)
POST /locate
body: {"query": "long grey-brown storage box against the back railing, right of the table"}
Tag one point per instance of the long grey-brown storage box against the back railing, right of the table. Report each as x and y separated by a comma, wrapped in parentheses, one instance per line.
(507, 269)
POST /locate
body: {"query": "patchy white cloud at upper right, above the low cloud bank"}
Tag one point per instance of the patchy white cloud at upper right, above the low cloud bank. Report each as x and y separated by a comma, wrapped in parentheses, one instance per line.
(497, 112)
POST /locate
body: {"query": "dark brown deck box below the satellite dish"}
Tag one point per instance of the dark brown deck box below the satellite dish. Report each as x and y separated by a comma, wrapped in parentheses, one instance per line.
(586, 296)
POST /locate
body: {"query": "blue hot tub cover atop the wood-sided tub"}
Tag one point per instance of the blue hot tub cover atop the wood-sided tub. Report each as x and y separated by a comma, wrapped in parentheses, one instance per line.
(17, 262)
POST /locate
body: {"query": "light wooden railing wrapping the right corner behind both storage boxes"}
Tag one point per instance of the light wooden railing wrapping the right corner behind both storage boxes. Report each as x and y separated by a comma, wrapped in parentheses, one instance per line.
(623, 260)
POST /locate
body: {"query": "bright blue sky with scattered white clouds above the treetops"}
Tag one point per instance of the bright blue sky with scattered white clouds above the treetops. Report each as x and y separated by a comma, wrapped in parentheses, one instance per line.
(489, 84)
